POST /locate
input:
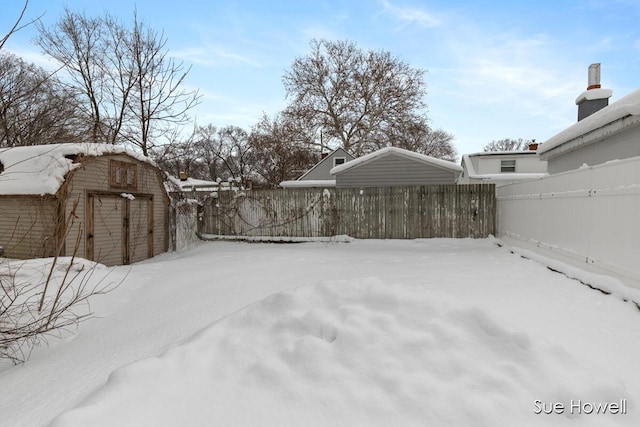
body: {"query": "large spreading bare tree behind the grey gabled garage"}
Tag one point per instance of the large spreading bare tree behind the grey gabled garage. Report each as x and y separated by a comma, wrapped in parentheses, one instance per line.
(360, 100)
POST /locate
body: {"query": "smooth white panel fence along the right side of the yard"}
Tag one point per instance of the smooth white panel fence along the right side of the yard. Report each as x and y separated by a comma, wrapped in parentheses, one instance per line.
(589, 216)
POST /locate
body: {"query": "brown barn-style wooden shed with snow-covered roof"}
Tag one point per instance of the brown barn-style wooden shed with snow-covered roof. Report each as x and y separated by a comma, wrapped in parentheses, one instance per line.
(100, 202)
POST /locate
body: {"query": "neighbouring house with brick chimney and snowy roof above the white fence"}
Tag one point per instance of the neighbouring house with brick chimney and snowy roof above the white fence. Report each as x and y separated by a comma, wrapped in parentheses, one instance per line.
(603, 132)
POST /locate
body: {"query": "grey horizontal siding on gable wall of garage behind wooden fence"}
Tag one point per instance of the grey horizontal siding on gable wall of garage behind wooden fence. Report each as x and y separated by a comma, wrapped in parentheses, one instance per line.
(393, 170)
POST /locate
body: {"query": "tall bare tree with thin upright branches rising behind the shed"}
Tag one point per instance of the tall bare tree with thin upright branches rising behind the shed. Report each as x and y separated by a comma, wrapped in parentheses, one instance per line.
(132, 91)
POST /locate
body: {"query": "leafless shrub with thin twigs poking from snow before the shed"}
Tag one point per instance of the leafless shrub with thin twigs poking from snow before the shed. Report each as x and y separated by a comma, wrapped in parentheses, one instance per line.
(43, 298)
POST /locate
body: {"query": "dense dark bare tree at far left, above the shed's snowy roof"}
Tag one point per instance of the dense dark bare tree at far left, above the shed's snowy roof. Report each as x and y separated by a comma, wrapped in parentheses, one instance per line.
(35, 108)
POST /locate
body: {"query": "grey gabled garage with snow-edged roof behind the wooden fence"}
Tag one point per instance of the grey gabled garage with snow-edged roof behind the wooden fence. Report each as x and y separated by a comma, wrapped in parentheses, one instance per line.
(392, 166)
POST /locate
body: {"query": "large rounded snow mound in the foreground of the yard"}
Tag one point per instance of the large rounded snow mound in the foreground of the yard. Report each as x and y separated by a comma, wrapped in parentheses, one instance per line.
(357, 352)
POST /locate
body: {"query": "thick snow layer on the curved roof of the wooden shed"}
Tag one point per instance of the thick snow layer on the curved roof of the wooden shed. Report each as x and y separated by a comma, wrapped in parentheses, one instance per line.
(41, 169)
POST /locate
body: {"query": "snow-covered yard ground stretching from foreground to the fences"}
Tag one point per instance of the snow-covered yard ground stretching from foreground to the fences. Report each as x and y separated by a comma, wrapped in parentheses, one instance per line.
(368, 333)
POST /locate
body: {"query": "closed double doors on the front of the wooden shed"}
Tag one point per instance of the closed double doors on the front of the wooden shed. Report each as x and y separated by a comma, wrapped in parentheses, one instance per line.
(119, 230)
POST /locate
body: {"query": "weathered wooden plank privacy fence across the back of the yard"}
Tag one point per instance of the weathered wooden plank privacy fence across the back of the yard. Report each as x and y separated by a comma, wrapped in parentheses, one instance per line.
(367, 213)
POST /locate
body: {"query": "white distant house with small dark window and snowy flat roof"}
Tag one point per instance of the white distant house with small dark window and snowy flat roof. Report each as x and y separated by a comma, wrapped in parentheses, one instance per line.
(501, 167)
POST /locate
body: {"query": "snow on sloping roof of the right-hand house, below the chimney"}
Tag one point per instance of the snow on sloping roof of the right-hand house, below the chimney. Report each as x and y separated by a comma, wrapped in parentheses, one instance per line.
(626, 106)
